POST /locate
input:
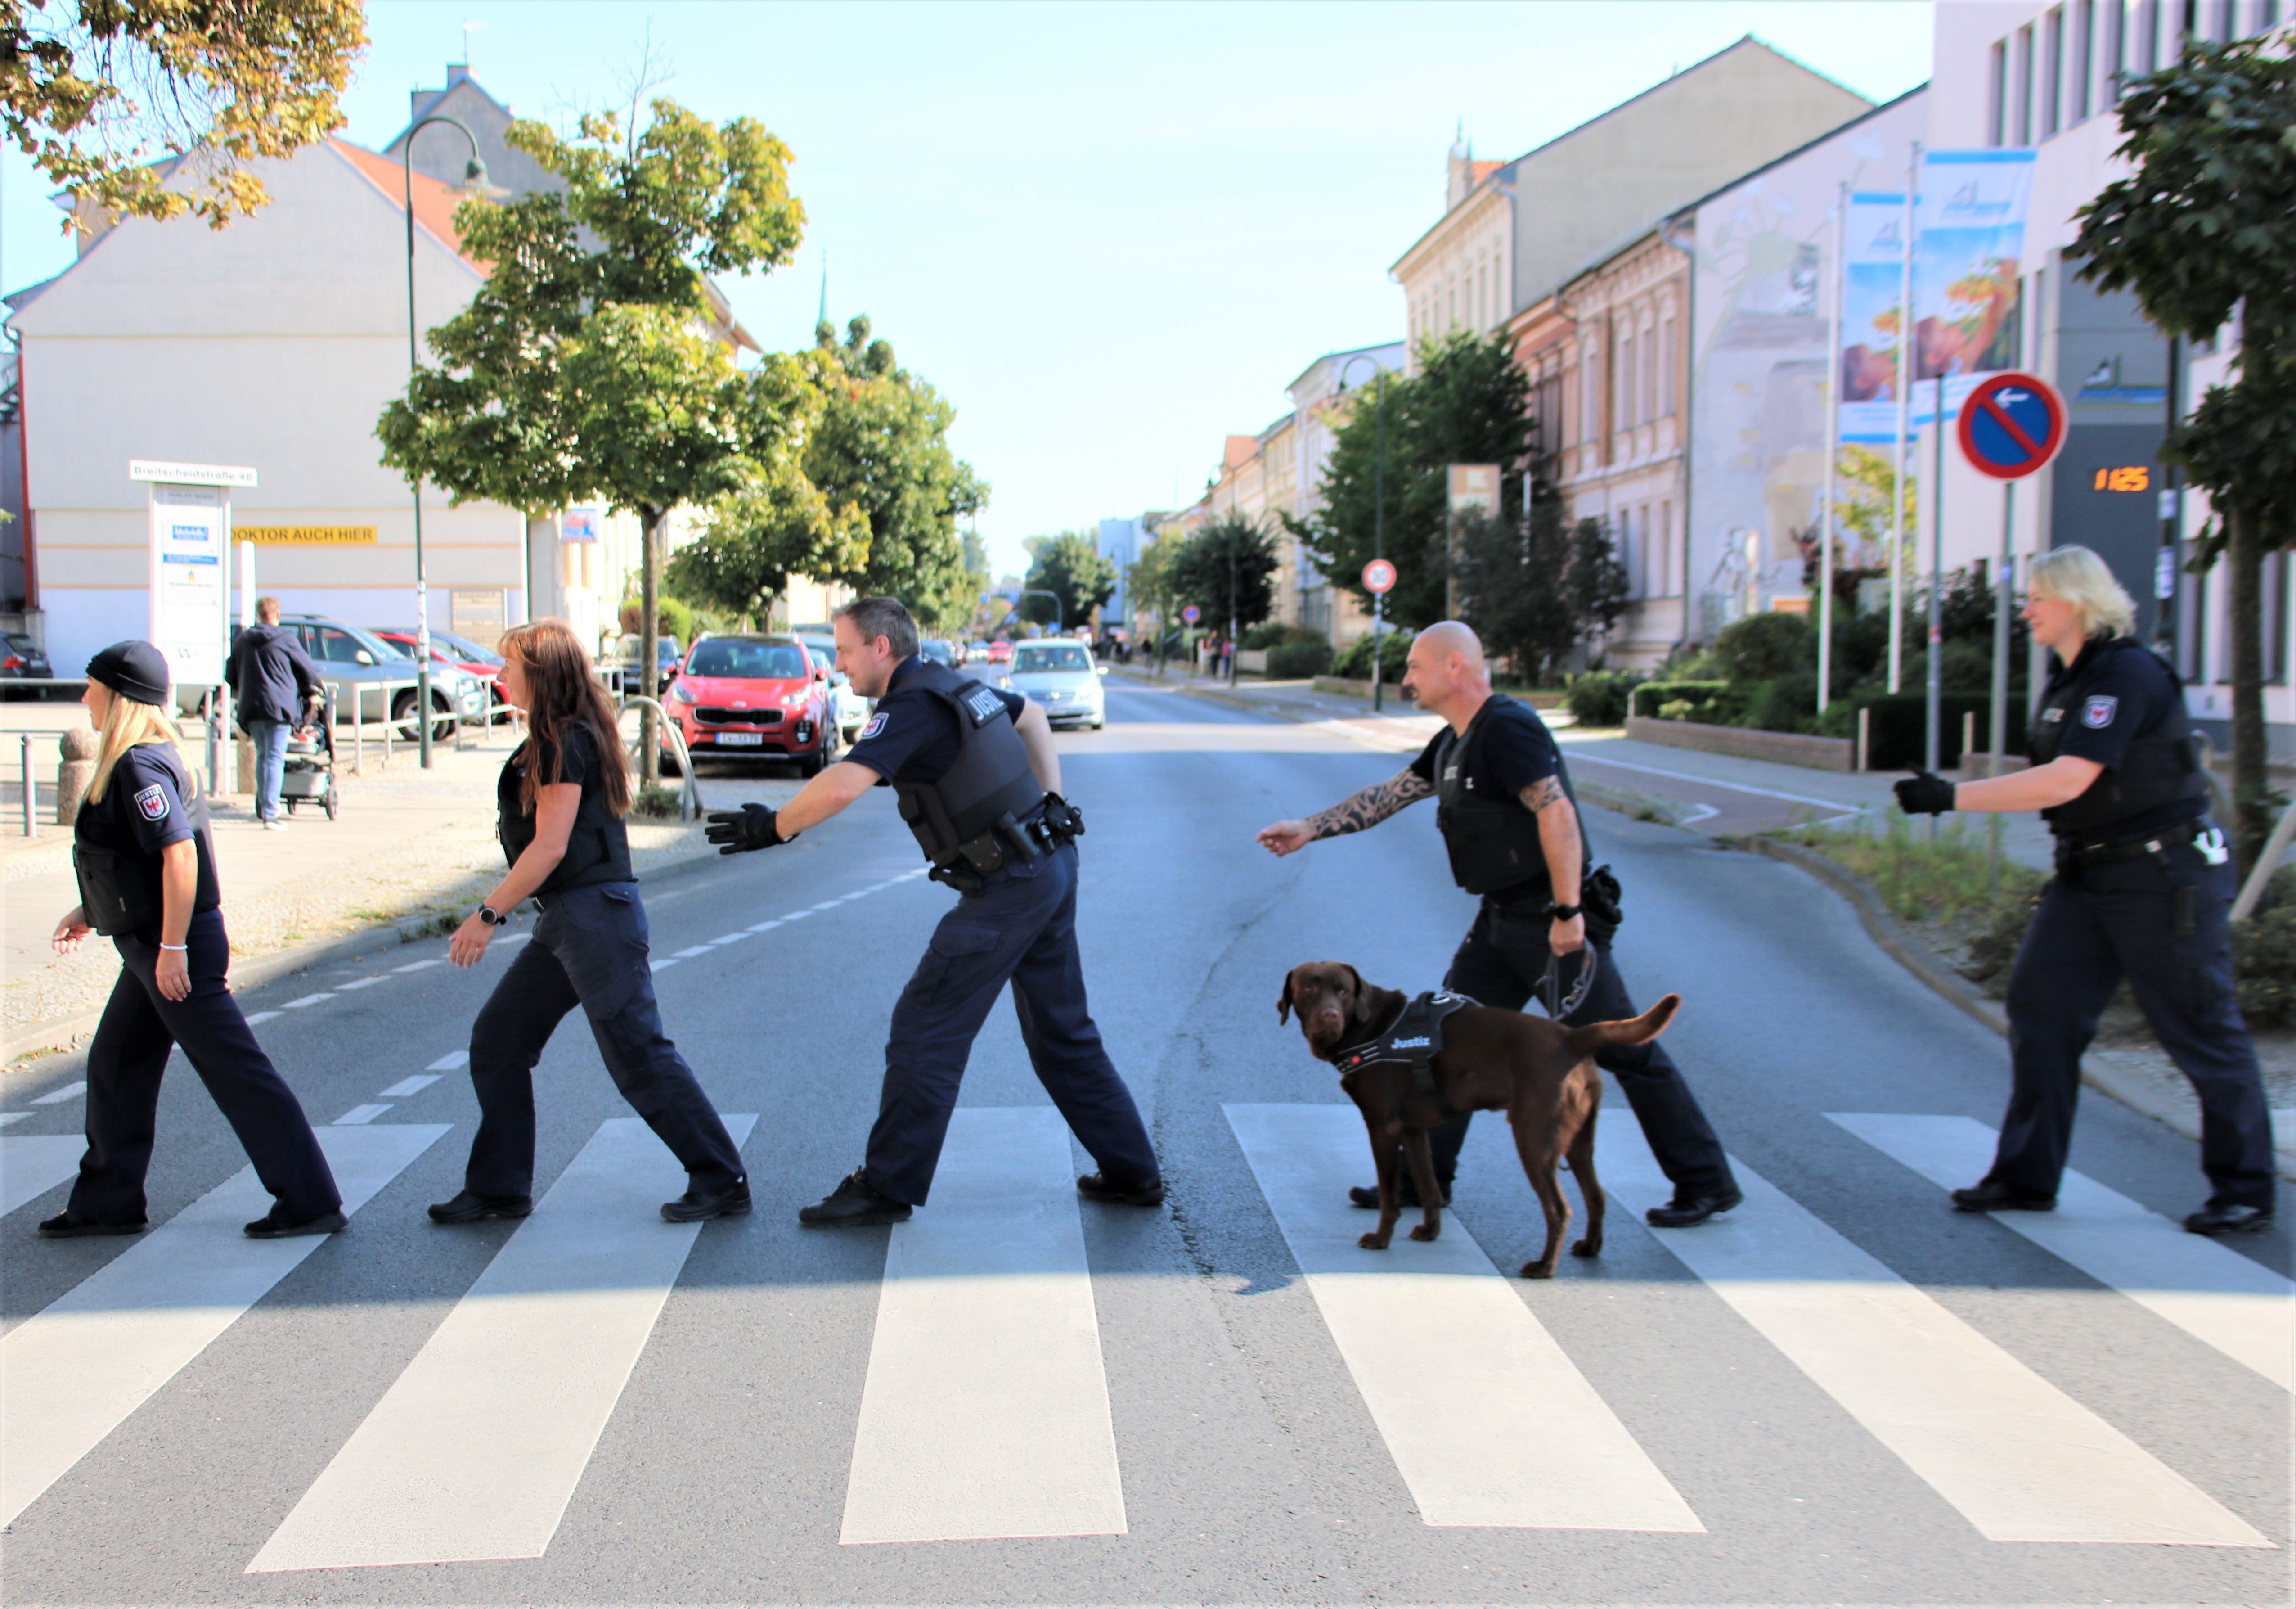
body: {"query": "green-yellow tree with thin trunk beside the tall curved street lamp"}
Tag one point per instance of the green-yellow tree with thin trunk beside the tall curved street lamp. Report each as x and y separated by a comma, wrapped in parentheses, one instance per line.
(594, 359)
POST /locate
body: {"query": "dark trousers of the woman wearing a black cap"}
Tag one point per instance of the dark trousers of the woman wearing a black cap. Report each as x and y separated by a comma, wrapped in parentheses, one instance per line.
(130, 1055)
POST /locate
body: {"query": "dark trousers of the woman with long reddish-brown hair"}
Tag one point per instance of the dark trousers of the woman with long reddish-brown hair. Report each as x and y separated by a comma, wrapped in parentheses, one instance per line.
(589, 951)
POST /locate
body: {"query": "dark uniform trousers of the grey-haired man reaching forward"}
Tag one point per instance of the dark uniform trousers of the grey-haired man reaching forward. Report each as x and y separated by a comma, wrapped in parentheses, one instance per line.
(1023, 931)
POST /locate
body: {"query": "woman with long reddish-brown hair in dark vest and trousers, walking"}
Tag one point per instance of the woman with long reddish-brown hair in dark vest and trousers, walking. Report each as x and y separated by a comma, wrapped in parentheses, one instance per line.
(561, 804)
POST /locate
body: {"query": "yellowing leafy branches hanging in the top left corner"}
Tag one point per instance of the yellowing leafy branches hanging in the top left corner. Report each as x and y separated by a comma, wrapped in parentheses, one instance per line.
(153, 109)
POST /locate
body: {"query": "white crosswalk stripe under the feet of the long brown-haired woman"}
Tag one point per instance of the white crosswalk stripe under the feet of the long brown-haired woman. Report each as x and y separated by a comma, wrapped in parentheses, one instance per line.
(481, 1443)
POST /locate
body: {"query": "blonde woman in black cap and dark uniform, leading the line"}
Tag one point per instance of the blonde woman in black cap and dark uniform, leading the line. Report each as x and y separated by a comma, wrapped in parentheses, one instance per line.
(148, 883)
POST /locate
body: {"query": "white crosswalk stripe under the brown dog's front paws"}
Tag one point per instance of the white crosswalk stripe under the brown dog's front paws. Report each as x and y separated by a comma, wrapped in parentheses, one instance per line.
(1507, 1431)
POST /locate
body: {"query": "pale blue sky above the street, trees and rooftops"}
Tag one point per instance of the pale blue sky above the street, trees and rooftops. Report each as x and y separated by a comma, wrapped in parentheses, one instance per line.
(1108, 233)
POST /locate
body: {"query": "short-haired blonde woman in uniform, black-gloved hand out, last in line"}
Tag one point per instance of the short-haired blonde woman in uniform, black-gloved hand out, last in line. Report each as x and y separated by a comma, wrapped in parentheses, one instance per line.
(2143, 892)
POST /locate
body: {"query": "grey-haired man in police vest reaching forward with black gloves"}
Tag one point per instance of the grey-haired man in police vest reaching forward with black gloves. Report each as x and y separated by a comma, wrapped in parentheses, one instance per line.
(979, 784)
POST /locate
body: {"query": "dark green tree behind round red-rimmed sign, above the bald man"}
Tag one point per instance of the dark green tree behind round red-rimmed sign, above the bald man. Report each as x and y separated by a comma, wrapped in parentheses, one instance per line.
(1468, 403)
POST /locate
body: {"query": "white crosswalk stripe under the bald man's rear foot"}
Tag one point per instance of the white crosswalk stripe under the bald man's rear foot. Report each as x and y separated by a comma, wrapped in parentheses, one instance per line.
(2017, 1456)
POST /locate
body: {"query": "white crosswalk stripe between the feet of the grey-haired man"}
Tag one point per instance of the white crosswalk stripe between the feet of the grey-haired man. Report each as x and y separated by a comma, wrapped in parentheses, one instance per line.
(986, 1408)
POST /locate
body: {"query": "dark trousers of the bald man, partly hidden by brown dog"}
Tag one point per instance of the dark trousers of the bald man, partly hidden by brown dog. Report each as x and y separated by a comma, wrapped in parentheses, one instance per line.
(1500, 963)
